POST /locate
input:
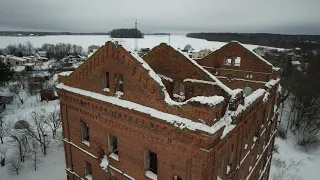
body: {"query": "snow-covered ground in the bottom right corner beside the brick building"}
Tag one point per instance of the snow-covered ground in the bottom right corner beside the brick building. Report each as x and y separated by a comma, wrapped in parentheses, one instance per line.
(291, 163)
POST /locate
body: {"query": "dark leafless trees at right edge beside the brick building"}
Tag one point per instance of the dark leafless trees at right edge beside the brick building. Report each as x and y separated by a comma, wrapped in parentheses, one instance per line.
(301, 104)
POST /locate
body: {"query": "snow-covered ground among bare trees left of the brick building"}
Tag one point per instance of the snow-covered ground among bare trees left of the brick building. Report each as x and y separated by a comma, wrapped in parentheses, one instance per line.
(53, 164)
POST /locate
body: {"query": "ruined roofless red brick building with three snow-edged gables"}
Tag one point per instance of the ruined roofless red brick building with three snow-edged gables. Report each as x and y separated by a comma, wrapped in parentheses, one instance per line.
(165, 116)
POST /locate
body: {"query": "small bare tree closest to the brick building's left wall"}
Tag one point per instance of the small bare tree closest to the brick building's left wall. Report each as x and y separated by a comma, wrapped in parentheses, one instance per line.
(53, 120)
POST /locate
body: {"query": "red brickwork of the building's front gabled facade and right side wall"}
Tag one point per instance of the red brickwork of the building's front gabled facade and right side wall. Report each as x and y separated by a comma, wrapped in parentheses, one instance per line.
(189, 154)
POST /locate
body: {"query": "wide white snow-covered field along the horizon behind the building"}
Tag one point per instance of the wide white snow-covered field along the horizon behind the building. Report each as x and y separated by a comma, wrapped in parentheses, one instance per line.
(149, 41)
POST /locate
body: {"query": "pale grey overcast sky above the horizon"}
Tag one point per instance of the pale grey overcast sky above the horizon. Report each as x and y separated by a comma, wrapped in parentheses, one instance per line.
(174, 16)
